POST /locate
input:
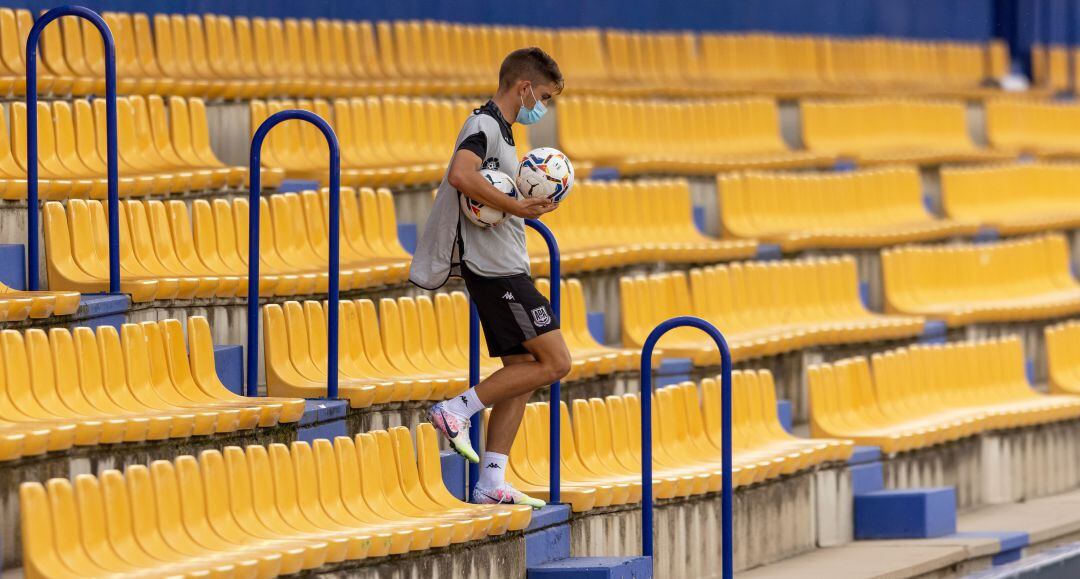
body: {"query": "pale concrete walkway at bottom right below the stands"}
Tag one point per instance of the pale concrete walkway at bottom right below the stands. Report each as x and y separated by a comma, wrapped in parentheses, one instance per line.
(1047, 521)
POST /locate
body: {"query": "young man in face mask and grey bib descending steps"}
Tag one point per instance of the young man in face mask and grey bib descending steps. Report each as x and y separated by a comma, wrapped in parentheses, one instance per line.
(518, 321)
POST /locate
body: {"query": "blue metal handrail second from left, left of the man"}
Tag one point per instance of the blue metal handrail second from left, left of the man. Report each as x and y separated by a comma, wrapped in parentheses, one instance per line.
(253, 247)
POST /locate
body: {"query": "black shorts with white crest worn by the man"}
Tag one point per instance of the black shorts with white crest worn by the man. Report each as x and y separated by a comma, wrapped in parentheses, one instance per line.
(511, 312)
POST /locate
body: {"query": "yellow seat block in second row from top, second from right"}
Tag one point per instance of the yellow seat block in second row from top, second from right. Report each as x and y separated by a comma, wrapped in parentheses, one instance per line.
(893, 131)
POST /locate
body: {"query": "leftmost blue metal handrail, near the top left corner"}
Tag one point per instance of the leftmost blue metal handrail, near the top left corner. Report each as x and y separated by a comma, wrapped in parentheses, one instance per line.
(32, 142)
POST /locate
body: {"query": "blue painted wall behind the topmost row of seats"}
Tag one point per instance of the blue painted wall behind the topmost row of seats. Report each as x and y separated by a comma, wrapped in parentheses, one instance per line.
(968, 20)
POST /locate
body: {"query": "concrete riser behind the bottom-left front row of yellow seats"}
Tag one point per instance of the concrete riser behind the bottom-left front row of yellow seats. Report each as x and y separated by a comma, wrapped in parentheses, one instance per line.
(98, 460)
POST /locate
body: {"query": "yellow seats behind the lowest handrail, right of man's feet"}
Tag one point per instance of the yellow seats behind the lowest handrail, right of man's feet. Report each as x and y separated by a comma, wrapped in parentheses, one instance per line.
(601, 447)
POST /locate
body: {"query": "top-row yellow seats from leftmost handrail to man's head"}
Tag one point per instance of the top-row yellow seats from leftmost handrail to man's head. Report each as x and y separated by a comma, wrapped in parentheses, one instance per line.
(239, 58)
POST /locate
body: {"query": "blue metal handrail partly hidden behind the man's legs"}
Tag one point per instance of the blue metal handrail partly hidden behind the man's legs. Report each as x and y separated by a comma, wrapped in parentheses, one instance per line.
(556, 278)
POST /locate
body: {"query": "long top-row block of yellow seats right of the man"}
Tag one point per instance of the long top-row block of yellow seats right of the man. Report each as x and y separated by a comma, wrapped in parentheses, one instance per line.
(835, 65)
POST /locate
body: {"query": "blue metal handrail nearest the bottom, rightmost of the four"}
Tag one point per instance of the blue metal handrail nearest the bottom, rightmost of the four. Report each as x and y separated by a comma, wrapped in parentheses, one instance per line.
(651, 344)
